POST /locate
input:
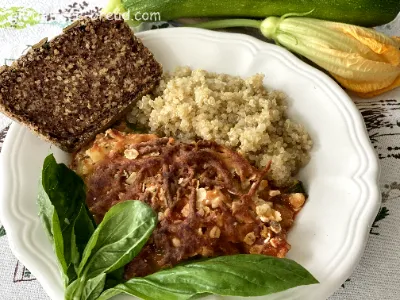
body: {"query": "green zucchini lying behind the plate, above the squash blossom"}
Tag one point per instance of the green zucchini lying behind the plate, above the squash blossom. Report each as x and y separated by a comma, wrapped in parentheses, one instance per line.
(358, 12)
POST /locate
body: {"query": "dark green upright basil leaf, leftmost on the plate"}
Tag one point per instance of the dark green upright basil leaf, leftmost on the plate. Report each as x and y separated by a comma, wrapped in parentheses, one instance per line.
(62, 194)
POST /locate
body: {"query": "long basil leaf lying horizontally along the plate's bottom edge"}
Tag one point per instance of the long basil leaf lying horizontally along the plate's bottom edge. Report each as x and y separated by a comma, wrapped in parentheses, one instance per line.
(236, 275)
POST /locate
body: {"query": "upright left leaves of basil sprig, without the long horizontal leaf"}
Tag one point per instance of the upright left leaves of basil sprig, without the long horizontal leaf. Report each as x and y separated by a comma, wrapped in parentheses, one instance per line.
(86, 255)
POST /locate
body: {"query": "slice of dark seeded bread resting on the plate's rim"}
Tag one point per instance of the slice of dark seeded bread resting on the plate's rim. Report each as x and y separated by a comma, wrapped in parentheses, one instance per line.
(76, 85)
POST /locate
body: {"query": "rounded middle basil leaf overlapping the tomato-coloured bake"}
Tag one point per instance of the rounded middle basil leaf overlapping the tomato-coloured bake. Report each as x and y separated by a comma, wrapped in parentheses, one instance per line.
(123, 232)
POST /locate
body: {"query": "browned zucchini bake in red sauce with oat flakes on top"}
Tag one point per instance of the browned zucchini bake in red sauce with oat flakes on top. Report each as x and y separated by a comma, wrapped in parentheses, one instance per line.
(210, 200)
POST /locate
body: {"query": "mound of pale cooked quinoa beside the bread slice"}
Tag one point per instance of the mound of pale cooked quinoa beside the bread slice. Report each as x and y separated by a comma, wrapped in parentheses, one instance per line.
(235, 112)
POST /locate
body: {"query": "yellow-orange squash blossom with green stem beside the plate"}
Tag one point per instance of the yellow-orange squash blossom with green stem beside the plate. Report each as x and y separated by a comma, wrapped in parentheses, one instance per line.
(362, 60)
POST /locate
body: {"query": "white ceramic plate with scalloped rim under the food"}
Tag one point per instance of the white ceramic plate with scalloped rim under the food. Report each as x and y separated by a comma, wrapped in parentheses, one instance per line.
(330, 233)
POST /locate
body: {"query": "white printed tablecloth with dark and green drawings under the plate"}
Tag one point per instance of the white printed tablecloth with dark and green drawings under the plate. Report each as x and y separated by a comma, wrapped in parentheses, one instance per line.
(25, 22)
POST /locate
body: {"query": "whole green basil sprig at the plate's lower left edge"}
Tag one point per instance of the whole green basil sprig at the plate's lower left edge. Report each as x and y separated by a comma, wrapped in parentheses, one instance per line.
(92, 259)
